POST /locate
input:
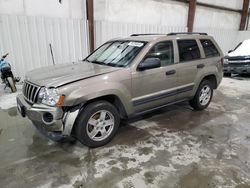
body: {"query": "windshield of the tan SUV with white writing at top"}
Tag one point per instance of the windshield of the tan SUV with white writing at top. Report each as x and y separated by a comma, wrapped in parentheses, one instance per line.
(116, 53)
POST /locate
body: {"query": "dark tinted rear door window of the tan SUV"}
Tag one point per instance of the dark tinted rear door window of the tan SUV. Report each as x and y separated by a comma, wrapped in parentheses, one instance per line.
(188, 50)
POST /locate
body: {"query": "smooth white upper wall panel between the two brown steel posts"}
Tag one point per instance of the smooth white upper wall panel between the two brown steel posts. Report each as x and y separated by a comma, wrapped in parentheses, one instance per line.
(158, 12)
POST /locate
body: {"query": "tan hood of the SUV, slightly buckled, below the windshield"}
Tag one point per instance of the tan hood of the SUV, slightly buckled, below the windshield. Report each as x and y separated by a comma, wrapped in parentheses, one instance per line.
(58, 75)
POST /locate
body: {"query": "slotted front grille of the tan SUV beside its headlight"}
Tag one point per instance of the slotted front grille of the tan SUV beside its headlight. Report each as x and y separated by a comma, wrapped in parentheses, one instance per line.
(30, 92)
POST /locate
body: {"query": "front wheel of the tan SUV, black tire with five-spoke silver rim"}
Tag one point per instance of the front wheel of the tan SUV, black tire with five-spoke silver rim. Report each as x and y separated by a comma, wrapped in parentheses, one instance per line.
(97, 124)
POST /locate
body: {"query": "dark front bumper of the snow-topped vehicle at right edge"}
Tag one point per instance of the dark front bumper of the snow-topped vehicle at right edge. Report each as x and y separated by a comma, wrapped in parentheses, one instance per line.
(237, 69)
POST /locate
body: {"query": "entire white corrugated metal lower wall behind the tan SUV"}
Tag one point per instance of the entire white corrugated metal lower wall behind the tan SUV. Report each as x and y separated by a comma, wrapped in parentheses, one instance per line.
(27, 39)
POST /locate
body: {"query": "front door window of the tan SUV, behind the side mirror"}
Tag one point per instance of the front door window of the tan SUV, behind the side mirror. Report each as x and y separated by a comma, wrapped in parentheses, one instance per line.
(163, 51)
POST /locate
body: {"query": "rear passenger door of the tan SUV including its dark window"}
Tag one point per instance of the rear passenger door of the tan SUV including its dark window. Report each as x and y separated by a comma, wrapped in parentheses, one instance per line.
(190, 63)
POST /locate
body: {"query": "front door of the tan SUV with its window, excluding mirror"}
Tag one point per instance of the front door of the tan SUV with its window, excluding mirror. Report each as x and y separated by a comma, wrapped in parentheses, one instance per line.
(155, 87)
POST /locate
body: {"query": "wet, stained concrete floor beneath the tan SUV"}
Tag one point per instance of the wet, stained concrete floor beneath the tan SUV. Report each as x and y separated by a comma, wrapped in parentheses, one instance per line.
(173, 147)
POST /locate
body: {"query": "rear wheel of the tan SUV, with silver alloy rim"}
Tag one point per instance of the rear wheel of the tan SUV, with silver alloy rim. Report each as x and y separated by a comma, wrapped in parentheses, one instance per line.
(203, 96)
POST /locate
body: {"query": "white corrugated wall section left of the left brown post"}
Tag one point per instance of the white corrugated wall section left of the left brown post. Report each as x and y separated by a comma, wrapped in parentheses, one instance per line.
(27, 40)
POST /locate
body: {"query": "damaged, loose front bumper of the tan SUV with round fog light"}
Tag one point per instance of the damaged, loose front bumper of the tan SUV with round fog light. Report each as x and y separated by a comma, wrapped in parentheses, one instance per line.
(60, 123)
